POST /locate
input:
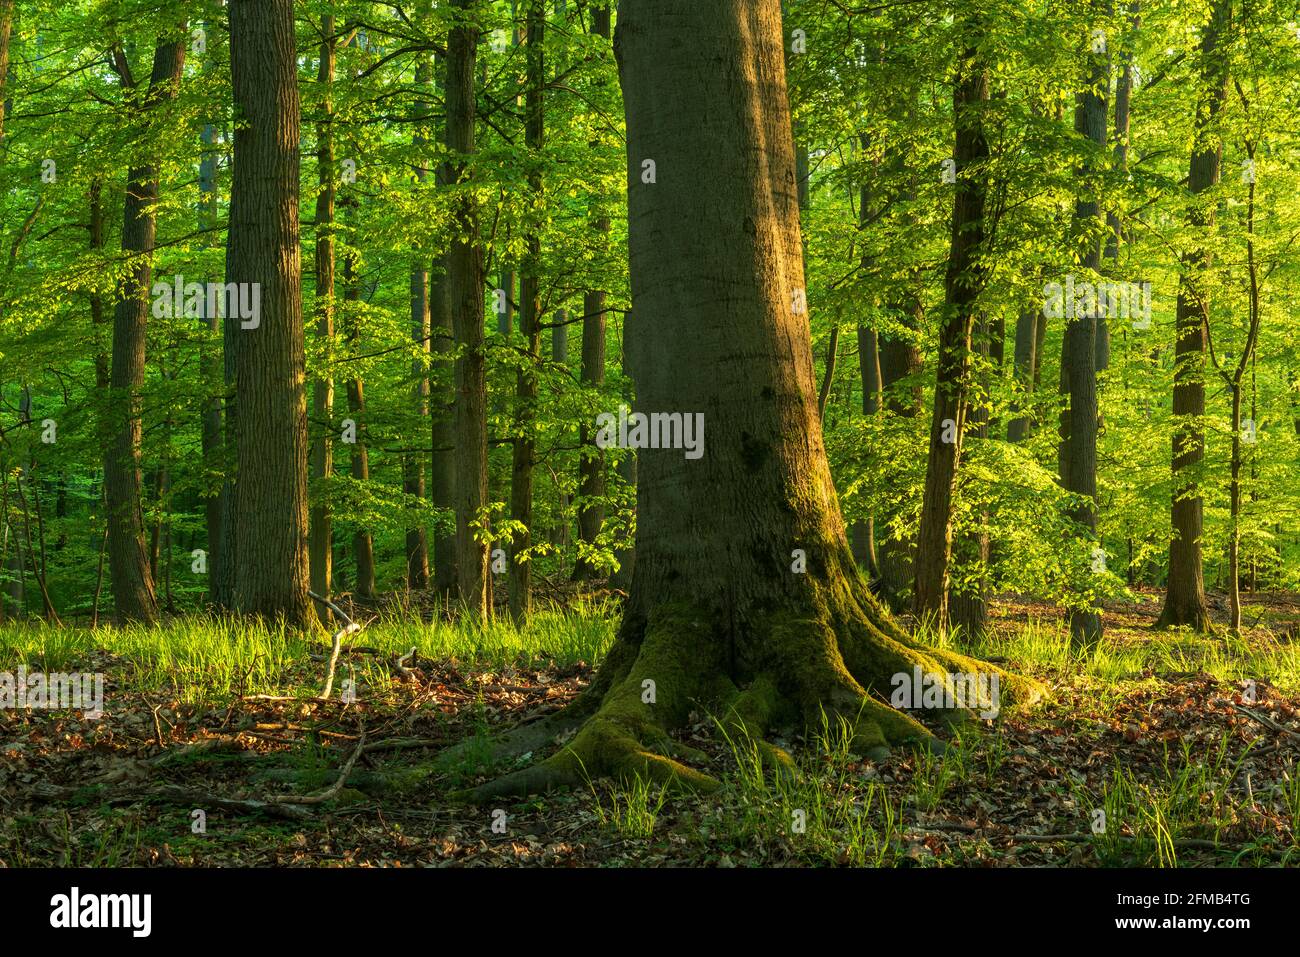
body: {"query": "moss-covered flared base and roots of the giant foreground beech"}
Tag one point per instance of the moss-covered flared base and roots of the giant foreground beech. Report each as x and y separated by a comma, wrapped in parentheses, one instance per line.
(837, 660)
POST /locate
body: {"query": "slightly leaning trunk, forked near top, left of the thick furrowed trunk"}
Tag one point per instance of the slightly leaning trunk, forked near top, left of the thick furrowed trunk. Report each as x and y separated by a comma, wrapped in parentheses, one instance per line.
(128, 555)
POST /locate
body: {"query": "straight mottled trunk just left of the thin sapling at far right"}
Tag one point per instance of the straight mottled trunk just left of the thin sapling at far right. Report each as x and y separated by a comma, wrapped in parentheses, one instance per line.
(1185, 592)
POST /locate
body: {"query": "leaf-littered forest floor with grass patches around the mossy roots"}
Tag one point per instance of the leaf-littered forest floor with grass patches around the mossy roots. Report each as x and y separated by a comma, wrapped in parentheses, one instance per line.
(1159, 748)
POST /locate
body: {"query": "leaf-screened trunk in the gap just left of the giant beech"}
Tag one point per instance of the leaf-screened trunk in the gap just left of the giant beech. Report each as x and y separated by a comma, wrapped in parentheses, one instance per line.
(591, 470)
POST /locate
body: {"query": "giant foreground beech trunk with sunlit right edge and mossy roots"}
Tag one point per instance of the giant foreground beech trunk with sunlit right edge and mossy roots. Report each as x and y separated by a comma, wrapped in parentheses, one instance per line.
(717, 610)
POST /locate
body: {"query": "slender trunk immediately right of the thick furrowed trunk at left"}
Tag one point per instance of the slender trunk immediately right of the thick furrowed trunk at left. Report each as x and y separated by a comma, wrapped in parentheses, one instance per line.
(320, 535)
